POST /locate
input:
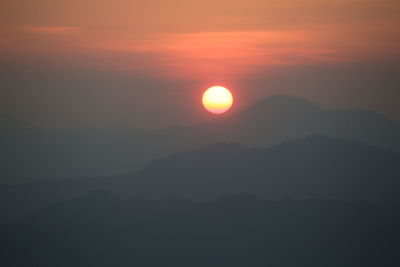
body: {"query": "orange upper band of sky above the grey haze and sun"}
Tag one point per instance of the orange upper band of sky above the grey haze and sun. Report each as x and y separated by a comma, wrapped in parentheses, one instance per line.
(203, 40)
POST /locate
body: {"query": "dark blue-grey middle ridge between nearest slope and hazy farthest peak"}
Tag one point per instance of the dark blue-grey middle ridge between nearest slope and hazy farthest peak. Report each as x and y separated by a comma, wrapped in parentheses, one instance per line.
(314, 167)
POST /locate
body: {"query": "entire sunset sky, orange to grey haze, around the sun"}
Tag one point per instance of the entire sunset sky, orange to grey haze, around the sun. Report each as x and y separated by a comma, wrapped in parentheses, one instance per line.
(101, 63)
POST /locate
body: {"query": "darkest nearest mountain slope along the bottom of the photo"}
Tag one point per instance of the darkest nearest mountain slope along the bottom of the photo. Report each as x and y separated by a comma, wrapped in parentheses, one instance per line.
(101, 230)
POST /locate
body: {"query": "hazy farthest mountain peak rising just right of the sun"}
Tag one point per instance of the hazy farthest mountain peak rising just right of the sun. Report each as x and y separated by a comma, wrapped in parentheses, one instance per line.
(277, 118)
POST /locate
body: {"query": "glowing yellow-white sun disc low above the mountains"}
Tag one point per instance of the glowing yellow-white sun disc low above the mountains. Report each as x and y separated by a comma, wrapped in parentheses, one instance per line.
(217, 99)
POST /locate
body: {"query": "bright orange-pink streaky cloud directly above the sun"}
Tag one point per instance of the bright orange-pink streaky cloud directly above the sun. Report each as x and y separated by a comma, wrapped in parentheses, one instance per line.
(226, 54)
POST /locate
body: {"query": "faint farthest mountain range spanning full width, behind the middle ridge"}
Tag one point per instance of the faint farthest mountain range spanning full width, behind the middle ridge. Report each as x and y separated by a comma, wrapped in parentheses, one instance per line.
(30, 154)
